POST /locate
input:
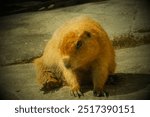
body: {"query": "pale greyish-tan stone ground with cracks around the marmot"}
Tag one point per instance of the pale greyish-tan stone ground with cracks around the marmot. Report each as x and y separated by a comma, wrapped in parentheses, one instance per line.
(23, 37)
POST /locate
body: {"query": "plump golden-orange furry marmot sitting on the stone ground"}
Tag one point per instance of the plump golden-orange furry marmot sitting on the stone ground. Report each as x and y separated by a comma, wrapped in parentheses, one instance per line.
(78, 47)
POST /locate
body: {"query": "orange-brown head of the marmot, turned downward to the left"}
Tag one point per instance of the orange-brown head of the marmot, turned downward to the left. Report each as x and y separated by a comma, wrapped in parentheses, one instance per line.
(79, 48)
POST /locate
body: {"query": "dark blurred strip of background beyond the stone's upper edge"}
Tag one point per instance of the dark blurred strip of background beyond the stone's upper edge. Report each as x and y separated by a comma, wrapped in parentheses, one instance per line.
(18, 6)
